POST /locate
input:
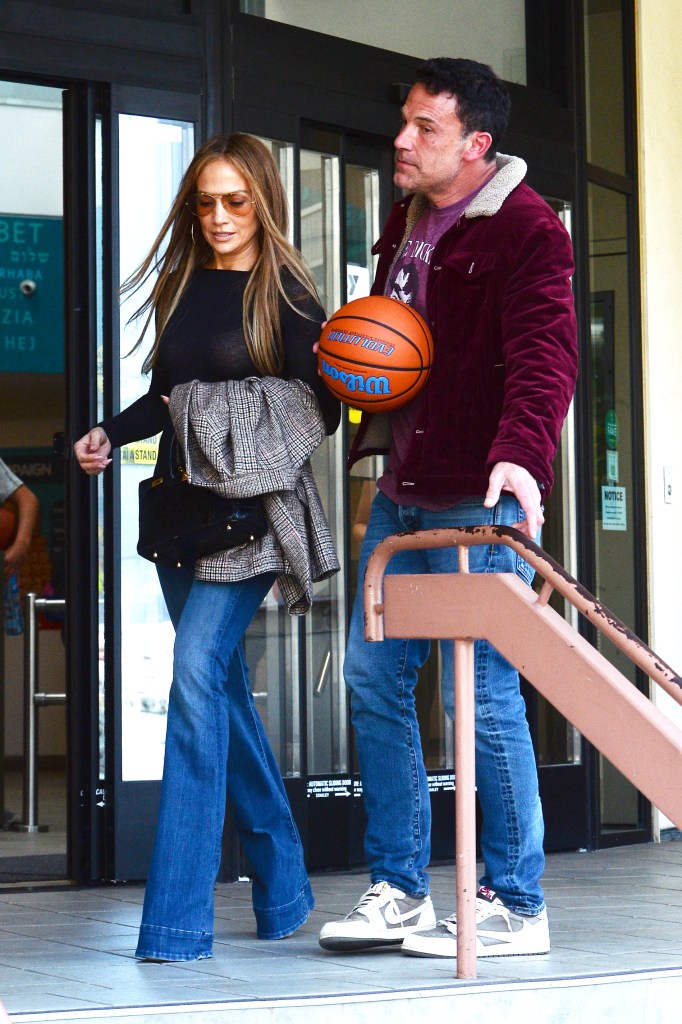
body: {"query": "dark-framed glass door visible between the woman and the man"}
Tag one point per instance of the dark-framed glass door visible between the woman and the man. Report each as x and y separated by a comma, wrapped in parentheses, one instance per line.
(346, 190)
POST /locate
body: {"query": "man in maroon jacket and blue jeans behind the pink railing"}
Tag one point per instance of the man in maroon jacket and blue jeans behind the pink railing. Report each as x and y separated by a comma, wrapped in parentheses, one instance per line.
(489, 265)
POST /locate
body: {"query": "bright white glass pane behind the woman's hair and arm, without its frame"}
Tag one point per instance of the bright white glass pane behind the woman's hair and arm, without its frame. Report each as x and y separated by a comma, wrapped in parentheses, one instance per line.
(153, 156)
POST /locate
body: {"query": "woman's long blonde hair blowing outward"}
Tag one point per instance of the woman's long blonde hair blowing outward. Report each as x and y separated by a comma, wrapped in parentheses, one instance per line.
(186, 251)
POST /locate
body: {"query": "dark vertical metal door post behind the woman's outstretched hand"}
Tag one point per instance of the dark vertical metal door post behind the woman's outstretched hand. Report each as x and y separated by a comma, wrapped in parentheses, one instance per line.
(84, 846)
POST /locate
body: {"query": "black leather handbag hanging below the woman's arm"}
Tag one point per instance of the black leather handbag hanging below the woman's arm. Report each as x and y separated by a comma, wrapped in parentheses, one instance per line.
(181, 523)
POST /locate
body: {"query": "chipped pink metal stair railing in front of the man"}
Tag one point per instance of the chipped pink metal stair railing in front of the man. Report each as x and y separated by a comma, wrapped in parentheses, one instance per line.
(563, 666)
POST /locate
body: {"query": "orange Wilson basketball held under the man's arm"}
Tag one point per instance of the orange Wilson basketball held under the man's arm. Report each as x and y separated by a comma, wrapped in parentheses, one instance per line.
(375, 354)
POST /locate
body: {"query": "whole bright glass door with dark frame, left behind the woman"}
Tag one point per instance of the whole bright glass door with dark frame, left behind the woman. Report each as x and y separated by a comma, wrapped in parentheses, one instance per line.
(153, 141)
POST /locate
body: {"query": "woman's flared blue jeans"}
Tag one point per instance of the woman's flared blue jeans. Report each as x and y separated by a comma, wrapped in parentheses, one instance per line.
(216, 744)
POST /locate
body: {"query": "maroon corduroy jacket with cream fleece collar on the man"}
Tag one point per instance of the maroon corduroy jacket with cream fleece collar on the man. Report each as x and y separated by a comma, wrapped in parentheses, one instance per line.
(501, 310)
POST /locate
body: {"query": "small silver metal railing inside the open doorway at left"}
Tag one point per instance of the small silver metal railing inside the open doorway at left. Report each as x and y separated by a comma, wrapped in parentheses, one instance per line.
(32, 702)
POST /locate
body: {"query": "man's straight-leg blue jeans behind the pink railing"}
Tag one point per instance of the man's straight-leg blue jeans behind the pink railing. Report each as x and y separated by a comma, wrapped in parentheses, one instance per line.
(382, 679)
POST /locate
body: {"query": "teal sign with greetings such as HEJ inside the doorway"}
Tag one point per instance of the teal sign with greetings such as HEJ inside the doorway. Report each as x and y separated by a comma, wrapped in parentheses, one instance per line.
(31, 295)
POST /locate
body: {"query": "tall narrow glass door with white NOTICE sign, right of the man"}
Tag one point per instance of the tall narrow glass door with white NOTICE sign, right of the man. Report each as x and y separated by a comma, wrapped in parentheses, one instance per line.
(615, 399)
